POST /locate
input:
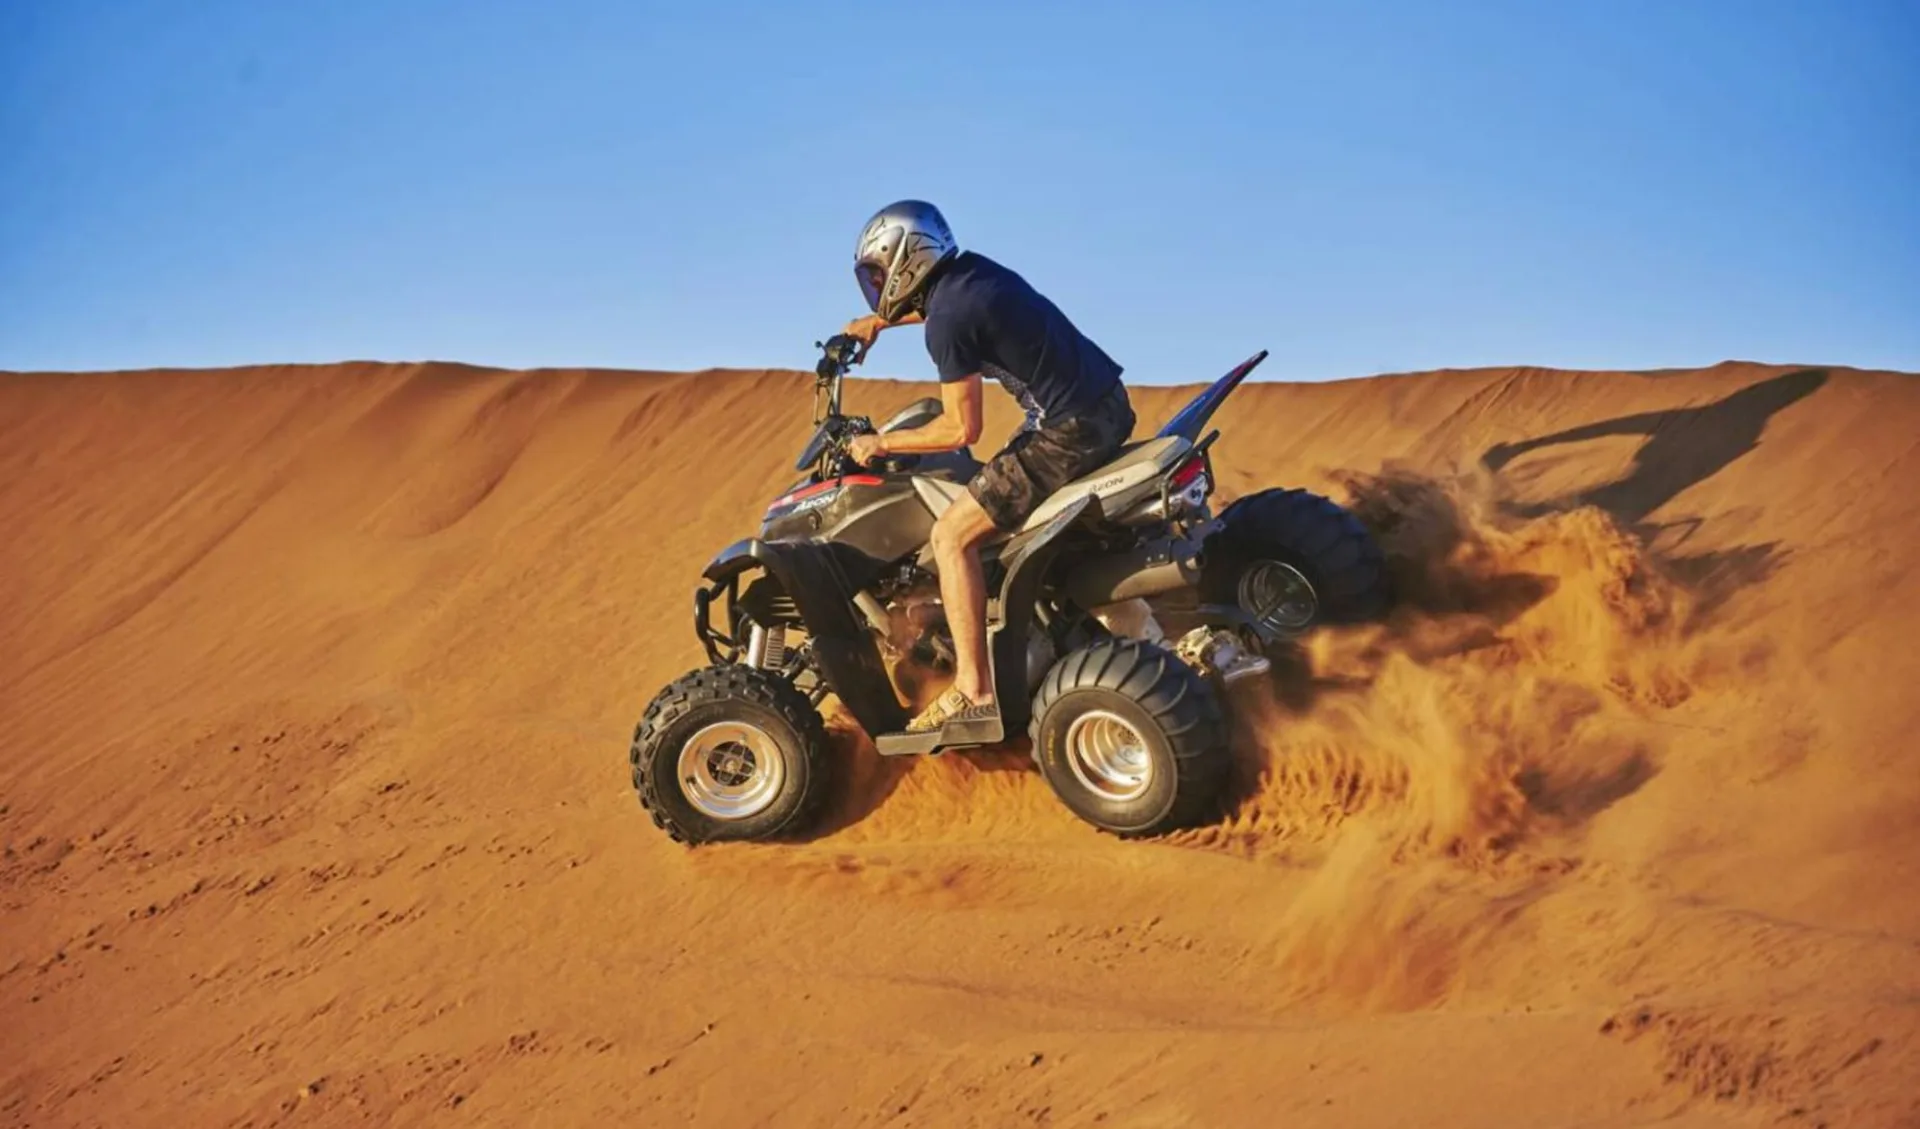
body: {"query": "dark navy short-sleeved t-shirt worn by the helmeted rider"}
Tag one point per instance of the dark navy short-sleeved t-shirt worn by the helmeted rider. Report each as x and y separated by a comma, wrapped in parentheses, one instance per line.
(988, 320)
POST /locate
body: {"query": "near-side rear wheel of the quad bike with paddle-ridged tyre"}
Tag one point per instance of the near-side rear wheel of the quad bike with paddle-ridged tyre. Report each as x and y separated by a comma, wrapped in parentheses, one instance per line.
(1130, 738)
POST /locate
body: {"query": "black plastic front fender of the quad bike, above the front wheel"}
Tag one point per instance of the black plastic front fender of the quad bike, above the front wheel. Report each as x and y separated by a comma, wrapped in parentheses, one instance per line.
(823, 581)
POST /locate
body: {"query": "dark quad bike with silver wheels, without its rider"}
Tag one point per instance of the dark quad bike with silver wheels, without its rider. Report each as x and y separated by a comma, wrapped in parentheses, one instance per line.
(840, 594)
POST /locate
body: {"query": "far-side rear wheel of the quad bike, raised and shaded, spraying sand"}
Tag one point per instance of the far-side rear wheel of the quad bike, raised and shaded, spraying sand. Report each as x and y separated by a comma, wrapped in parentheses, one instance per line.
(1293, 562)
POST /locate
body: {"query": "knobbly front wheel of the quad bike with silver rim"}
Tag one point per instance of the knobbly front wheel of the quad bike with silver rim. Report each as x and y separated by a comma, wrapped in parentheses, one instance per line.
(731, 754)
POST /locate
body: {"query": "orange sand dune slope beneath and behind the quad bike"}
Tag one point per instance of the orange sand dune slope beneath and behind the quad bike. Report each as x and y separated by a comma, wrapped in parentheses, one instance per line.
(314, 790)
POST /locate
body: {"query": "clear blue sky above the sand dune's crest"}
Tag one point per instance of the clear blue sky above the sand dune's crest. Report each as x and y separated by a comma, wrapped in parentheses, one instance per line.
(1356, 187)
